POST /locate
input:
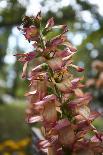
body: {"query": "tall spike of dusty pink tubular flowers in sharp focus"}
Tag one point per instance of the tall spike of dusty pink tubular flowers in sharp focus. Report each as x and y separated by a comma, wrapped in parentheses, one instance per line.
(56, 99)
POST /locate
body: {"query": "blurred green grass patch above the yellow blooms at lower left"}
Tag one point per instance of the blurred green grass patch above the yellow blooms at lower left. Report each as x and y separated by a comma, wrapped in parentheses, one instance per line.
(12, 122)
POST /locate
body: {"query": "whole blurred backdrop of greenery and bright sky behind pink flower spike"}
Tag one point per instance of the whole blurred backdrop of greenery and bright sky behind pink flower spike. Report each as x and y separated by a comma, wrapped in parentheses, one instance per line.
(85, 21)
